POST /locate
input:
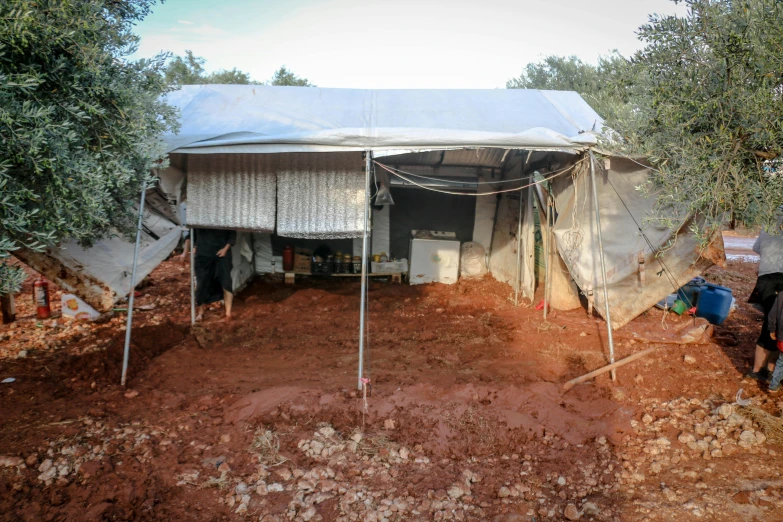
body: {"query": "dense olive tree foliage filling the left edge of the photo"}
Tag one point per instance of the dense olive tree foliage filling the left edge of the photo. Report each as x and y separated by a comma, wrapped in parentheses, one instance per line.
(80, 125)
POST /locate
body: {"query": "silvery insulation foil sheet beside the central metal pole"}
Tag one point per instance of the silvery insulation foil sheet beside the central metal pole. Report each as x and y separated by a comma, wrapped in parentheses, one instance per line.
(321, 196)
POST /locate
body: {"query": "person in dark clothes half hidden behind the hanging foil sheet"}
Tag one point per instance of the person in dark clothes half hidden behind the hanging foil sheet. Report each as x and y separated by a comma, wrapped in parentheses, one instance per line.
(212, 249)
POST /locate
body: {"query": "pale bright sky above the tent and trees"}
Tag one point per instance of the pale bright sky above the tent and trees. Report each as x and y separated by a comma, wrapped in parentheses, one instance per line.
(394, 44)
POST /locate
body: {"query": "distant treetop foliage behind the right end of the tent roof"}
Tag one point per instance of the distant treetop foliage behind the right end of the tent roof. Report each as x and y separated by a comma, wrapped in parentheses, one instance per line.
(603, 86)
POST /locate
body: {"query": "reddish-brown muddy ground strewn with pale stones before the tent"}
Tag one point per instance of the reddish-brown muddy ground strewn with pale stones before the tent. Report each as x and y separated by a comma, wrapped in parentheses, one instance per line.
(464, 419)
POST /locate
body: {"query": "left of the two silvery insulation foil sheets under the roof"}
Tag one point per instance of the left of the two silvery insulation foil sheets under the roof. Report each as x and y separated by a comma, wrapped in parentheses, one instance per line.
(235, 191)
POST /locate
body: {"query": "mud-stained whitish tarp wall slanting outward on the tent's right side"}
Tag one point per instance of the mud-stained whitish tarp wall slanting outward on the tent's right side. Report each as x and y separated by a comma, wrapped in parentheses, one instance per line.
(576, 238)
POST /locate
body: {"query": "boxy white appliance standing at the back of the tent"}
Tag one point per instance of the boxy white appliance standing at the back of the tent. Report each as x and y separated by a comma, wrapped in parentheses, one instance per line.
(434, 260)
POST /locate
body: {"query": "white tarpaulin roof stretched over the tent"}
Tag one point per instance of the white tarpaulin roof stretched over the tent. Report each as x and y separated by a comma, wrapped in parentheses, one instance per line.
(259, 119)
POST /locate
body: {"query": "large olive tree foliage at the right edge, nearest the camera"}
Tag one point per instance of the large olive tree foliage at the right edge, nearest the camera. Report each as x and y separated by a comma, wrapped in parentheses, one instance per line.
(708, 112)
